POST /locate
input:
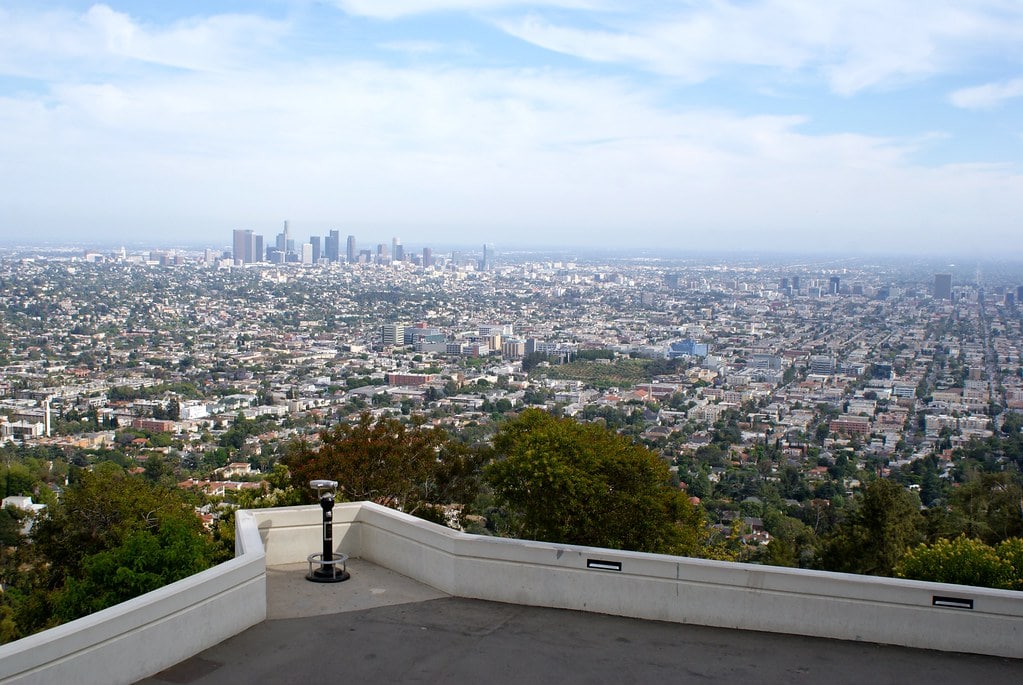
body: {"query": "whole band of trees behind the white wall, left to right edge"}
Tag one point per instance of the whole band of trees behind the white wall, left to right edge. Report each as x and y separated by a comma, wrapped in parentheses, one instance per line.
(541, 477)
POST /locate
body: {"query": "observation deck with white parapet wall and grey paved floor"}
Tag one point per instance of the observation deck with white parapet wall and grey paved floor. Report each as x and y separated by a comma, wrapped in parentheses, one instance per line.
(433, 605)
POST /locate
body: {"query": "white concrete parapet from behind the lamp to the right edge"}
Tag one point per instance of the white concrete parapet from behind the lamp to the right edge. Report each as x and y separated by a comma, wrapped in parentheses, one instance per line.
(666, 588)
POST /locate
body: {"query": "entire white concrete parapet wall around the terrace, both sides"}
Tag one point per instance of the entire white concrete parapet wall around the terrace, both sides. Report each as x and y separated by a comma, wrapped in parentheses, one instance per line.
(148, 634)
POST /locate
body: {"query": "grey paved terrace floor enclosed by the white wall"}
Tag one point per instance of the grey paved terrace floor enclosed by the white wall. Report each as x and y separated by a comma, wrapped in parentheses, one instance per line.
(383, 627)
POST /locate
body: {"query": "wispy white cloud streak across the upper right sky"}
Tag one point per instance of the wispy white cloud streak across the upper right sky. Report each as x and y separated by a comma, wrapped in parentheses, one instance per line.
(853, 44)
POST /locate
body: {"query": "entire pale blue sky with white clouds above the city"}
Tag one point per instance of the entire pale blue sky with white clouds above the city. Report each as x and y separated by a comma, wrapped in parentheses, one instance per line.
(848, 126)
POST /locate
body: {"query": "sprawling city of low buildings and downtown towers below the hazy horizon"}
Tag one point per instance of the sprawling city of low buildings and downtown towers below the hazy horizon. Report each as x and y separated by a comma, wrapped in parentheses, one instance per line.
(888, 362)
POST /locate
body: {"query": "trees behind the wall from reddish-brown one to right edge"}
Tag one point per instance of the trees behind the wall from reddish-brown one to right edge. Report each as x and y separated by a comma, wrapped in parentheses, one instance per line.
(552, 479)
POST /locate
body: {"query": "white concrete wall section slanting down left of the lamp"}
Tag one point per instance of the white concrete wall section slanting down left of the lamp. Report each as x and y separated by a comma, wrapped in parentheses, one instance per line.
(146, 635)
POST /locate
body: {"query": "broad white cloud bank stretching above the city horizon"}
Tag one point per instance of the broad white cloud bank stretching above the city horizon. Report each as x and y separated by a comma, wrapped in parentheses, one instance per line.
(525, 156)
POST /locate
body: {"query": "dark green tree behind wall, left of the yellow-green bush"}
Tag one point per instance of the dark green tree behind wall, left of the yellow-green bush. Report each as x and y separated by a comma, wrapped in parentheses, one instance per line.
(876, 535)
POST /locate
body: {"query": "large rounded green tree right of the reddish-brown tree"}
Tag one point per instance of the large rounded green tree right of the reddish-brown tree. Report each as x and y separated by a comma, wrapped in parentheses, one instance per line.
(561, 481)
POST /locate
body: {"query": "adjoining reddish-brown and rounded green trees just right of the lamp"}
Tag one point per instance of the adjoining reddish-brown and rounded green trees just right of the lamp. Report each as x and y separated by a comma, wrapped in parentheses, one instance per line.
(544, 478)
